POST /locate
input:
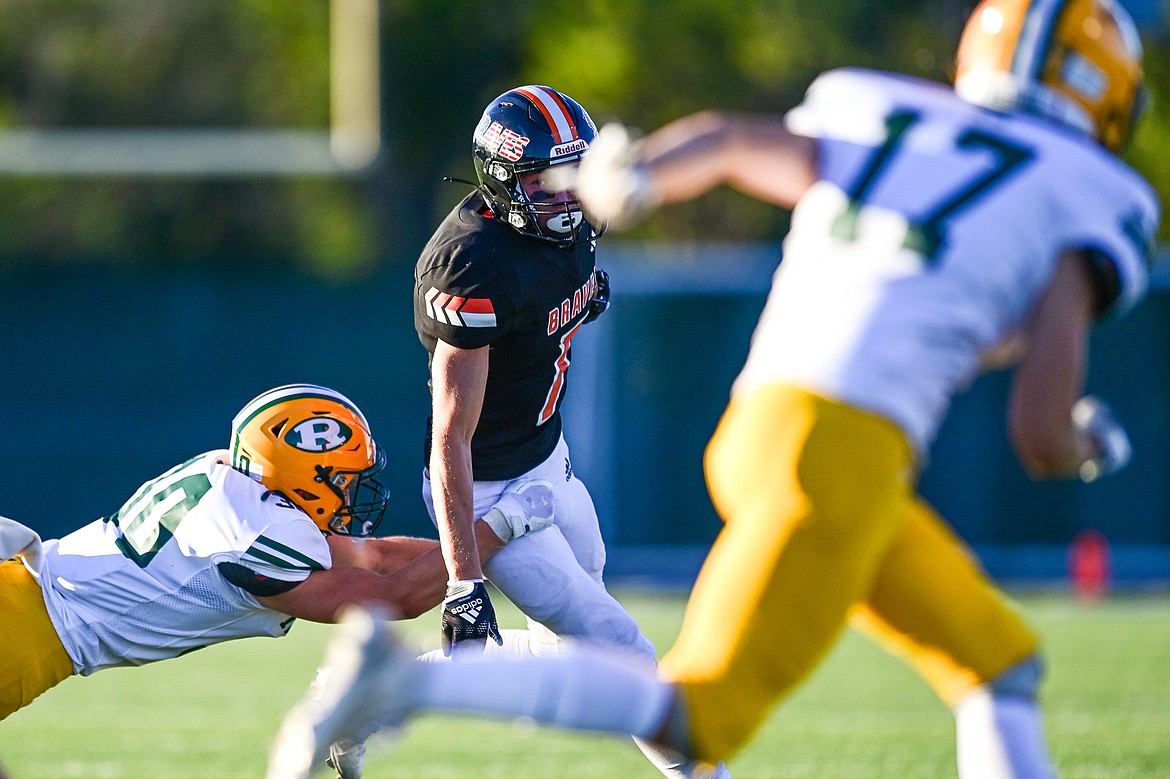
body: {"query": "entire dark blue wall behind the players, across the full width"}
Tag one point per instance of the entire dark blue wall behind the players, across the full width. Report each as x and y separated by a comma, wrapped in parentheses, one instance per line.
(113, 377)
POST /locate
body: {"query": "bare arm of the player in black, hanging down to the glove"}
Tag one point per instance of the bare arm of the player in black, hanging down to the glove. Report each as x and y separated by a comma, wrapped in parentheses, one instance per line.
(459, 378)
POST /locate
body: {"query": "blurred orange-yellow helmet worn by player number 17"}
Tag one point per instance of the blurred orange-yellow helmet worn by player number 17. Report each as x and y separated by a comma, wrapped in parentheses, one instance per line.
(1075, 61)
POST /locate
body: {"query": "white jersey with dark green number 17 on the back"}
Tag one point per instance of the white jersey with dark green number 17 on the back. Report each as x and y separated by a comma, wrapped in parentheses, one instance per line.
(932, 231)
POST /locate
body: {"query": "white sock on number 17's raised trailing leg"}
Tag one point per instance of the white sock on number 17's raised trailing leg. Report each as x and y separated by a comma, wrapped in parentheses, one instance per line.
(582, 690)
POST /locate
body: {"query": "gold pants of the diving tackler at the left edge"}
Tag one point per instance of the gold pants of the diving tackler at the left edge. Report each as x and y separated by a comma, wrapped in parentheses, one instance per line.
(32, 658)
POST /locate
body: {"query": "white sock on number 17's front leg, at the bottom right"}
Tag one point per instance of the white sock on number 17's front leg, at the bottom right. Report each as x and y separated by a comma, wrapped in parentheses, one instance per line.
(1001, 737)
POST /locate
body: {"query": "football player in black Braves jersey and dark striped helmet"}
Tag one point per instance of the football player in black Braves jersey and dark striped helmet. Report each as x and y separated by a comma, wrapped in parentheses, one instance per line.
(501, 289)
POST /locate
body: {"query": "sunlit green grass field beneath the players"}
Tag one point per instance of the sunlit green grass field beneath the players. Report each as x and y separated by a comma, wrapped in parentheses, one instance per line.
(862, 716)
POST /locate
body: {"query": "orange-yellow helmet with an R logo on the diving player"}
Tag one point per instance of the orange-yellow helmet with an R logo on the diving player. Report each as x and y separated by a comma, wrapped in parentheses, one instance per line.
(314, 446)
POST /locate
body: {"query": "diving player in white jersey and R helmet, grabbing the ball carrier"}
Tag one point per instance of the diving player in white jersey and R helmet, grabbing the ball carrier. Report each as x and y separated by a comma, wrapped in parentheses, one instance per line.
(233, 543)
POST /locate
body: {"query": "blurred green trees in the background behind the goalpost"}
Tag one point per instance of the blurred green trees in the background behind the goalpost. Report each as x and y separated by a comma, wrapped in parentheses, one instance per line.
(265, 64)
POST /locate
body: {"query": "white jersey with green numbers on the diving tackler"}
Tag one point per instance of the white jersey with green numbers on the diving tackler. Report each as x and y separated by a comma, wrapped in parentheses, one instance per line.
(146, 584)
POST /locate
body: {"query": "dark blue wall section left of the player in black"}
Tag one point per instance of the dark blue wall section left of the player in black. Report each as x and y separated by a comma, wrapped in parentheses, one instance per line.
(113, 377)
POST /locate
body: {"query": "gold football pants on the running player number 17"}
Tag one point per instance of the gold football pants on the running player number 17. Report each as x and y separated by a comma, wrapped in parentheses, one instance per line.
(823, 525)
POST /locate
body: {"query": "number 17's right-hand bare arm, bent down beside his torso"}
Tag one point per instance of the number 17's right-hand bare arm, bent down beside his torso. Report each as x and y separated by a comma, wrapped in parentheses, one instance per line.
(1051, 376)
